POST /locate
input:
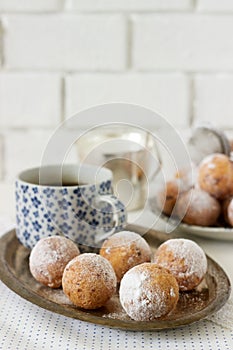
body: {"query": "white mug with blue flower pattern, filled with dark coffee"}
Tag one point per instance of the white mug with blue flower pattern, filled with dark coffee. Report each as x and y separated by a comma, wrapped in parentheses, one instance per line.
(74, 201)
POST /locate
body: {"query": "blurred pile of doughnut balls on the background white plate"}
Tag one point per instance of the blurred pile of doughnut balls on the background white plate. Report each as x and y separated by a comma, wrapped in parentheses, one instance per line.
(206, 202)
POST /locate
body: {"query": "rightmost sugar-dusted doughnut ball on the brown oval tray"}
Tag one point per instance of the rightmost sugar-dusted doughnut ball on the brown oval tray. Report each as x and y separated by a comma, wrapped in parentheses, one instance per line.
(184, 259)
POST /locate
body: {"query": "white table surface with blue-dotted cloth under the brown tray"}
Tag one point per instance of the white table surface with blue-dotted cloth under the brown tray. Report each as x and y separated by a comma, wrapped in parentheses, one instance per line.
(24, 325)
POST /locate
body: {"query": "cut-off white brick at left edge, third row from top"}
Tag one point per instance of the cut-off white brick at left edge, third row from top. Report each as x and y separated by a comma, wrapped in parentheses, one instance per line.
(30, 99)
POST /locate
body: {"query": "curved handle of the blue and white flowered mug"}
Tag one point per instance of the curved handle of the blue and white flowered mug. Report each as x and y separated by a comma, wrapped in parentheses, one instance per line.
(119, 216)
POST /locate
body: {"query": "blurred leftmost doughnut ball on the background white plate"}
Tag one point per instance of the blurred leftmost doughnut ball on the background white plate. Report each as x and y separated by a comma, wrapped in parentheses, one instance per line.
(166, 198)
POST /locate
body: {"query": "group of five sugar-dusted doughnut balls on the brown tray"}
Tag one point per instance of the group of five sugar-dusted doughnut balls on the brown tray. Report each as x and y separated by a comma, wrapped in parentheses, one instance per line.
(149, 283)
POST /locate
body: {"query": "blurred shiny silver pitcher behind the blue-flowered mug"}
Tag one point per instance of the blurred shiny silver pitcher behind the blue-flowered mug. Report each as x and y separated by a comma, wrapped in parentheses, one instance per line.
(129, 152)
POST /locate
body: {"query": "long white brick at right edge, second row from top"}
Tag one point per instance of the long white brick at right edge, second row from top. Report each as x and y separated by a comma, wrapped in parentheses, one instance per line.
(188, 42)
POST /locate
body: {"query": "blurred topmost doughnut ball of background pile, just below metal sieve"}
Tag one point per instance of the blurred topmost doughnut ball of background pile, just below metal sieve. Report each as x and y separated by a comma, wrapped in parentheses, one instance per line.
(215, 175)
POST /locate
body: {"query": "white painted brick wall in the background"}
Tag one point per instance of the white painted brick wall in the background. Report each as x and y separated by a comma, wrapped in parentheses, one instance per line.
(60, 56)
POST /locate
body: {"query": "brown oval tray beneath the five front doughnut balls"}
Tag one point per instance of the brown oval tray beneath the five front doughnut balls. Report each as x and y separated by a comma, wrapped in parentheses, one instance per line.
(193, 306)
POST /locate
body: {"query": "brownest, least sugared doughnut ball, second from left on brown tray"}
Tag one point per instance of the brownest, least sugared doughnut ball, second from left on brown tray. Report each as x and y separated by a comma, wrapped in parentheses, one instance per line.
(89, 281)
